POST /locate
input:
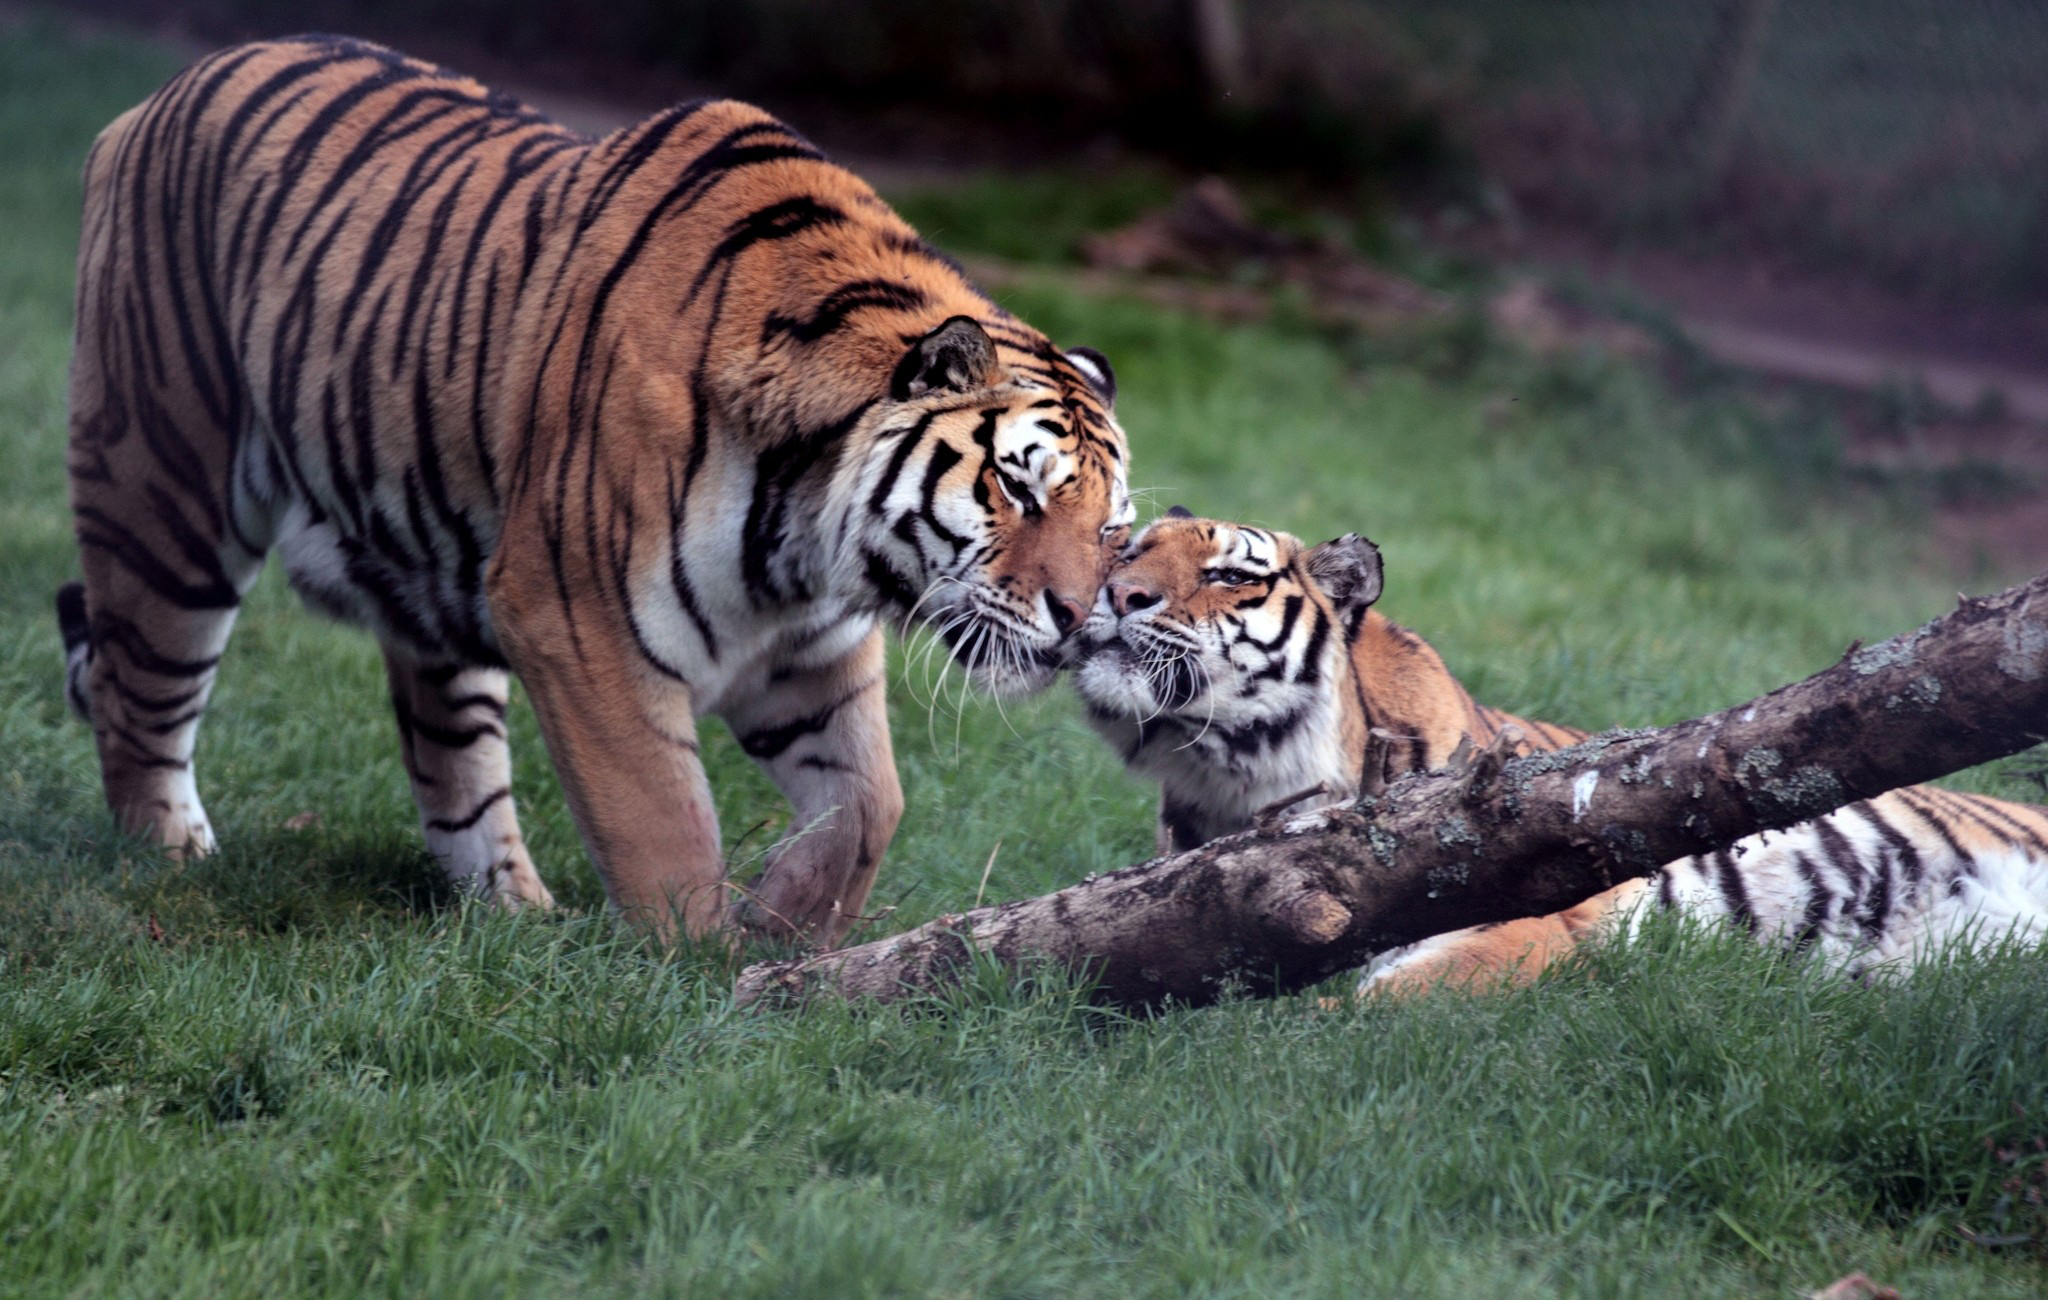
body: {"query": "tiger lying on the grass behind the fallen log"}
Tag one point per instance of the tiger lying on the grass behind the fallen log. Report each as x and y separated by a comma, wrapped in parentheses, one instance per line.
(1240, 668)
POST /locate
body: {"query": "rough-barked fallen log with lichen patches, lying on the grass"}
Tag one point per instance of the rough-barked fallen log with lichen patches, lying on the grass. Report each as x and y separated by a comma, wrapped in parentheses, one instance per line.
(1310, 896)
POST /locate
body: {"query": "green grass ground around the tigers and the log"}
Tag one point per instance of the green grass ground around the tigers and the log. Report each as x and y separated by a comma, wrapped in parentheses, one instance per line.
(288, 1072)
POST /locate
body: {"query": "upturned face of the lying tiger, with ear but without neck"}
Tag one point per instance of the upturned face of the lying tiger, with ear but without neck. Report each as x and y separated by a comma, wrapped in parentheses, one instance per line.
(1222, 627)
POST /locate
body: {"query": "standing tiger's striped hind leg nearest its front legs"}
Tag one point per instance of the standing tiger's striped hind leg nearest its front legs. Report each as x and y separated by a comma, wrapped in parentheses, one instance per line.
(452, 722)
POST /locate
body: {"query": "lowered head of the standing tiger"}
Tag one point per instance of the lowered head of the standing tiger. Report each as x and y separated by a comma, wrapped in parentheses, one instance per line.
(994, 496)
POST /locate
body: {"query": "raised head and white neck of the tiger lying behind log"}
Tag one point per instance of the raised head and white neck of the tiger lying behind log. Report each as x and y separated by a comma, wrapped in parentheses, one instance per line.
(1218, 660)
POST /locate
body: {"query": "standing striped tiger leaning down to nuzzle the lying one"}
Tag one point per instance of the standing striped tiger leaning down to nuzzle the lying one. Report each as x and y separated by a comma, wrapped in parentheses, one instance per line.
(667, 423)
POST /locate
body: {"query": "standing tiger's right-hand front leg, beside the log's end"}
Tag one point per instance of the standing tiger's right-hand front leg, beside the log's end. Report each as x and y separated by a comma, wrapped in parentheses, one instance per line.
(822, 736)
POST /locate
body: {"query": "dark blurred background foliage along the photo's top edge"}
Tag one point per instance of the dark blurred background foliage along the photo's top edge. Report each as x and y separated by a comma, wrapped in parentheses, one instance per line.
(1895, 138)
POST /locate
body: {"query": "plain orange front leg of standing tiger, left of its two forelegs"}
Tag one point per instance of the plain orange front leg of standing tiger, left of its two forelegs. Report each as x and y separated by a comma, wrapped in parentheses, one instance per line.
(622, 736)
